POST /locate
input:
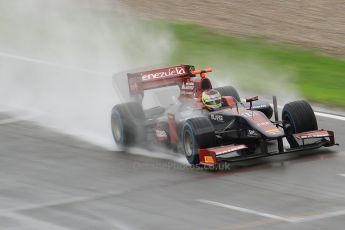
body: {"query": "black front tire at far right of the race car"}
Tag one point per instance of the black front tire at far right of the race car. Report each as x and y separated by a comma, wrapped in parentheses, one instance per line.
(298, 116)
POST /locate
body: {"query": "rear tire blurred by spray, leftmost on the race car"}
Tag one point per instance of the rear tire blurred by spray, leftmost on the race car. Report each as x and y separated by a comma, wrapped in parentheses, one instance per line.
(127, 124)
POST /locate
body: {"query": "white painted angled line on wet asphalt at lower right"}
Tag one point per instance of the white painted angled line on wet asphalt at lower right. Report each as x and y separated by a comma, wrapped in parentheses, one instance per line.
(275, 217)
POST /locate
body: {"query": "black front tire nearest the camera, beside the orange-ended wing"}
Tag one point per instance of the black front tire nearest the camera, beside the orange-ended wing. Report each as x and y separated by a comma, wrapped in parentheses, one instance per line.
(197, 133)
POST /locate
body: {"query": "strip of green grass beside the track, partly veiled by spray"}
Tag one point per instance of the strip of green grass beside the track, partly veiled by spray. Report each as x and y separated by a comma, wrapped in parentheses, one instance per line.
(258, 65)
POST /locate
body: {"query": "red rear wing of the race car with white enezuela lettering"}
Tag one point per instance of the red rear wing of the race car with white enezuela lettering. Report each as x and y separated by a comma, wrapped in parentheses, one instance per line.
(141, 81)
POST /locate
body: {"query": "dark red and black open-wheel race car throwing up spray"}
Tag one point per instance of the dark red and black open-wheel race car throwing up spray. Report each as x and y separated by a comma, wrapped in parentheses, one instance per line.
(235, 131)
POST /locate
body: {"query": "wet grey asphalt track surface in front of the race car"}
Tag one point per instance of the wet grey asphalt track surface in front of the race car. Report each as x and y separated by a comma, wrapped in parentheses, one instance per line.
(52, 181)
